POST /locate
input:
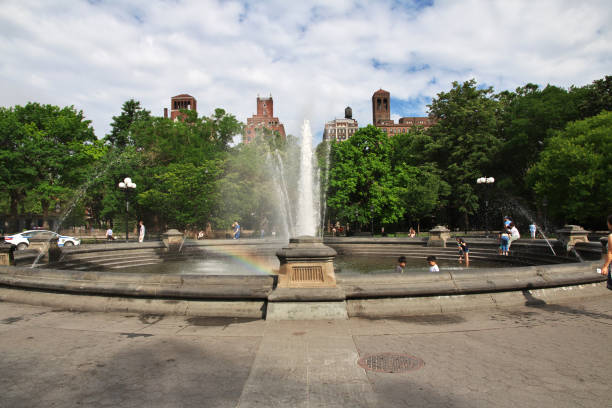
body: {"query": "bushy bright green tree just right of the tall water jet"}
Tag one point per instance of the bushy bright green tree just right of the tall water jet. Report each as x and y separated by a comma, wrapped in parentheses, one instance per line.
(368, 181)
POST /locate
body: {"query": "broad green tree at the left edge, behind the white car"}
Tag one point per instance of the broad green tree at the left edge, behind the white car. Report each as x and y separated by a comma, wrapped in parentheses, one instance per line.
(55, 148)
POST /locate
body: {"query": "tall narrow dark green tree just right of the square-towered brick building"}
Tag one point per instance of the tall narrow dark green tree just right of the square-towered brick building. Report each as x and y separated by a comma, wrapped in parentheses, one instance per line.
(464, 141)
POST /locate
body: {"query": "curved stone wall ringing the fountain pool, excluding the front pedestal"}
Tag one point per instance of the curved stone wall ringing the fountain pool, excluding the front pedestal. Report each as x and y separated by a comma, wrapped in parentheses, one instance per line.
(259, 291)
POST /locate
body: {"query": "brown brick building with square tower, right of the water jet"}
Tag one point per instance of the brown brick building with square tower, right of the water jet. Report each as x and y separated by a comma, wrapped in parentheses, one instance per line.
(381, 116)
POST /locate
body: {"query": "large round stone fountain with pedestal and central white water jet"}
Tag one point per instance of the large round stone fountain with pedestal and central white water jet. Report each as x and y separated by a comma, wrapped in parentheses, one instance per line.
(306, 286)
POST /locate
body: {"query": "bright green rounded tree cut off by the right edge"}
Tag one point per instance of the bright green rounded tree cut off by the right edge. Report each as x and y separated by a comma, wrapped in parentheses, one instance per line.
(573, 172)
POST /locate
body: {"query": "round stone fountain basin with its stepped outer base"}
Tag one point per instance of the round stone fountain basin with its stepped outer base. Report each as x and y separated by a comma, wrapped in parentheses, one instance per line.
(256, 296)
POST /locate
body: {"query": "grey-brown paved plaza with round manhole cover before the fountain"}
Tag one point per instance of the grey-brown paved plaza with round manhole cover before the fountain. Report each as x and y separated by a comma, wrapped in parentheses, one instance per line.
(542, 355)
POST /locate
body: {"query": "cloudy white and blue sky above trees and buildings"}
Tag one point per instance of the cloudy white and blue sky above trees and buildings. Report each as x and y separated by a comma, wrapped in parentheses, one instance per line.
(314, 57)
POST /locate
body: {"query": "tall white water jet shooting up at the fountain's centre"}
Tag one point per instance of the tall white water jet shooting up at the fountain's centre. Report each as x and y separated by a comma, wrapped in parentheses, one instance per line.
(306, 222)
